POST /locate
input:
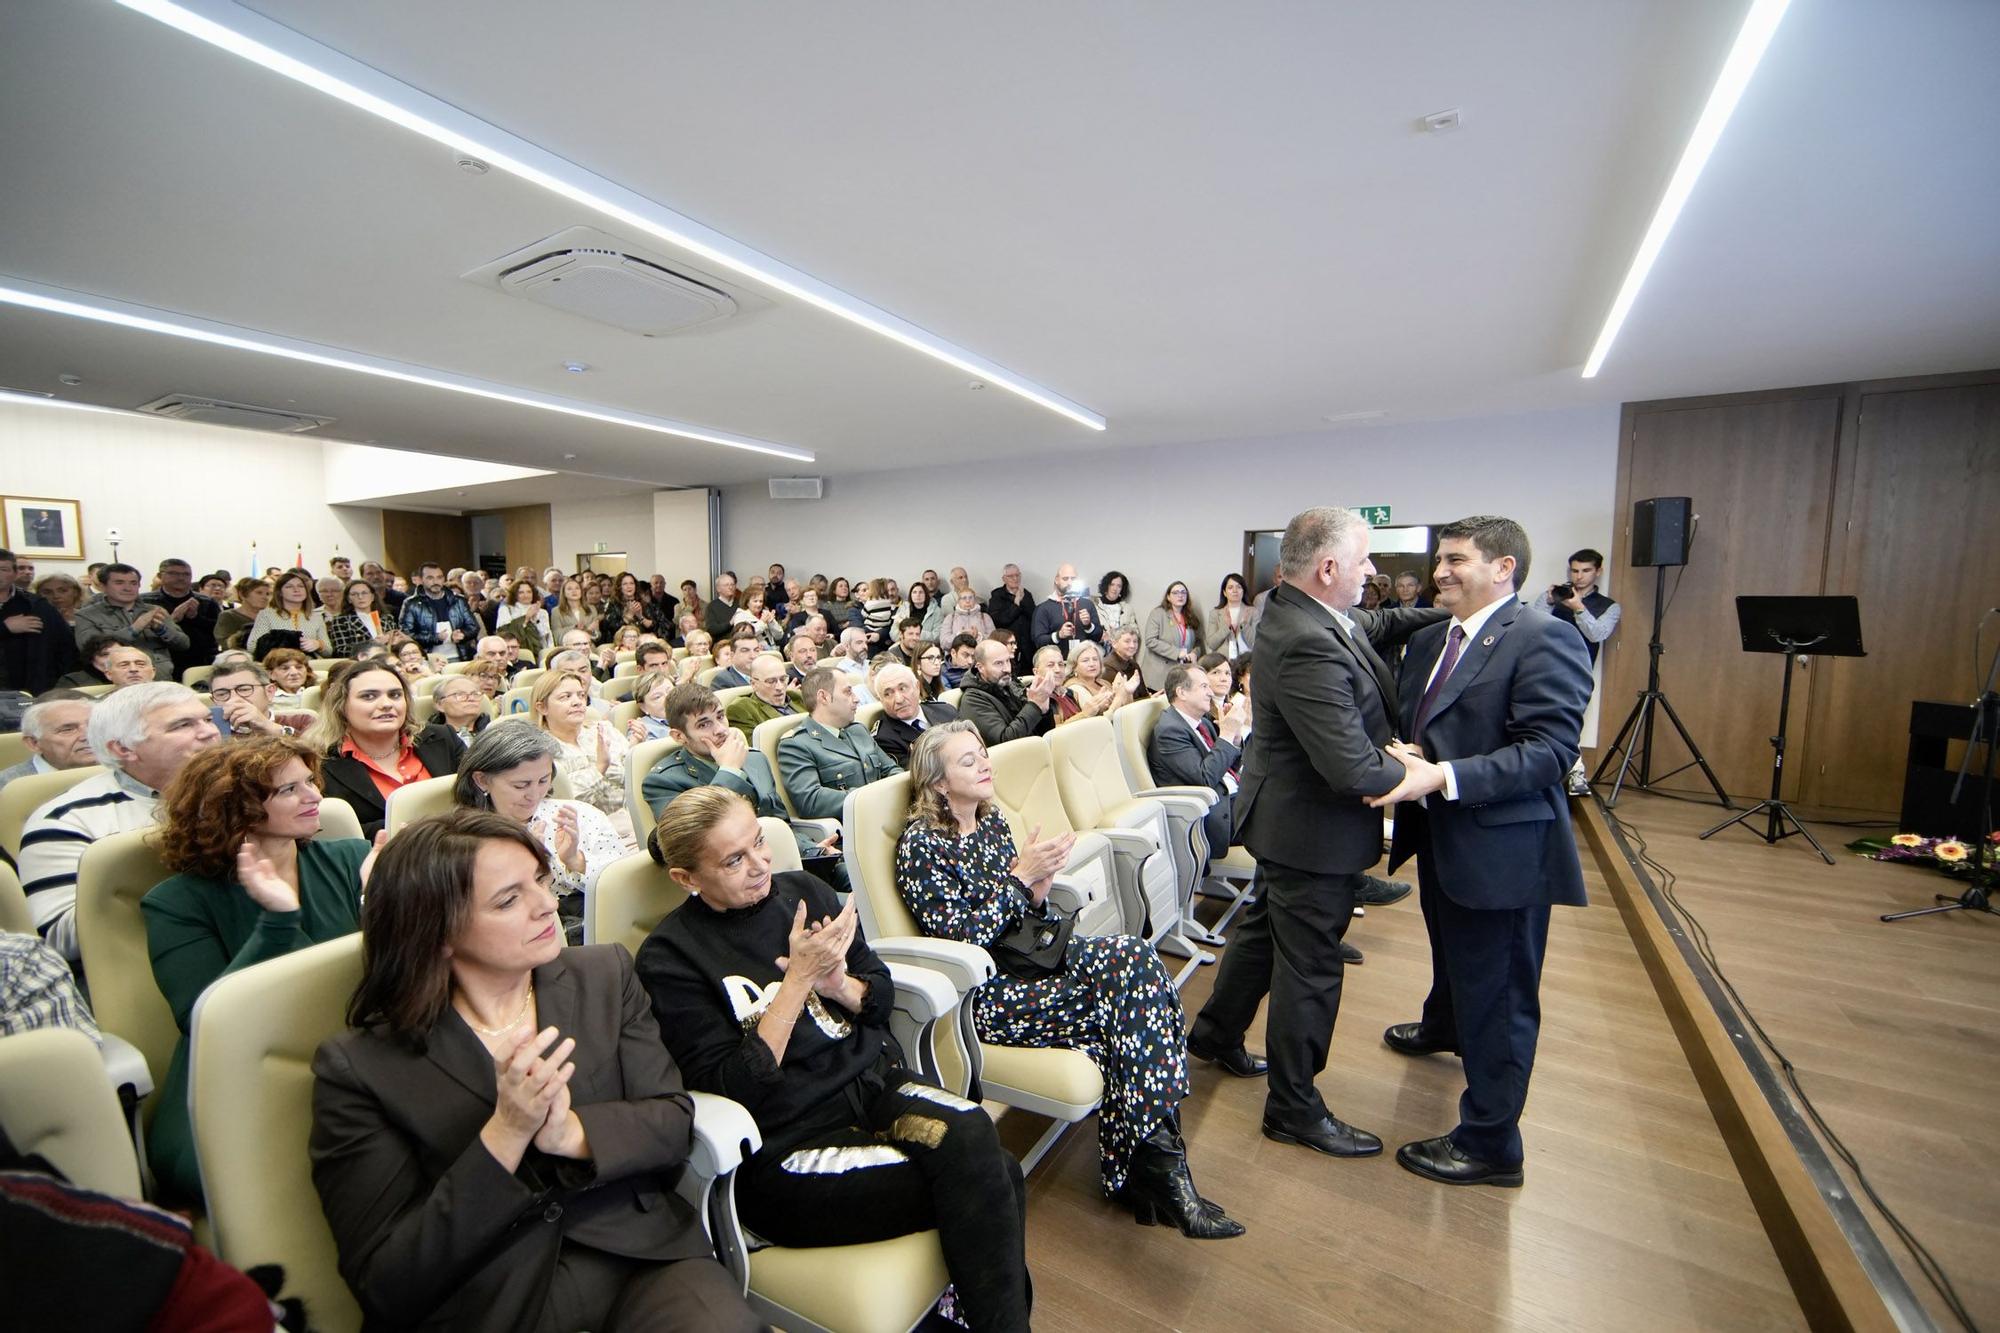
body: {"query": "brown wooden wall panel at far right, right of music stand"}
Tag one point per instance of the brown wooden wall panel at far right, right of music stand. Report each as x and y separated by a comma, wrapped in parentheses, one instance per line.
(1919, 499)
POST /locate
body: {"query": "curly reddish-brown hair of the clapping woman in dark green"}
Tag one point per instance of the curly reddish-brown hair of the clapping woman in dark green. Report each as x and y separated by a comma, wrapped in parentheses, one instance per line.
(217, 802)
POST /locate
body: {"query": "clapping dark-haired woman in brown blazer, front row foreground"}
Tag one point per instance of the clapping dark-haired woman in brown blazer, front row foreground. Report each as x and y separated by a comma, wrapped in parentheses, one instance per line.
(497, 1140)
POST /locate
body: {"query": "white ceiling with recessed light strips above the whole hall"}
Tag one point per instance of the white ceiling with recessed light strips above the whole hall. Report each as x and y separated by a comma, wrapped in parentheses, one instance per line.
(1203, 221)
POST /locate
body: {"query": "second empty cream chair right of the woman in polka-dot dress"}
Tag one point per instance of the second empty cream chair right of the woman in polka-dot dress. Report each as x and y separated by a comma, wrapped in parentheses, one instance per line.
(1097, 796)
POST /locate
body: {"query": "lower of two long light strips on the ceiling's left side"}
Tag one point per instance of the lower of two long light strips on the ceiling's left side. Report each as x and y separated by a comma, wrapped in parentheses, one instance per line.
(103, 311)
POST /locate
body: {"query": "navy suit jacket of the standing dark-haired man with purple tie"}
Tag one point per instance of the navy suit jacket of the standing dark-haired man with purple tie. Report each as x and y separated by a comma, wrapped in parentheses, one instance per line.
(1509, 722)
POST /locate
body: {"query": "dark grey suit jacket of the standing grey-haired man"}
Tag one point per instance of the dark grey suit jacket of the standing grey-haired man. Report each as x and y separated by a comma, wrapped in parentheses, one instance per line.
(1321, 714)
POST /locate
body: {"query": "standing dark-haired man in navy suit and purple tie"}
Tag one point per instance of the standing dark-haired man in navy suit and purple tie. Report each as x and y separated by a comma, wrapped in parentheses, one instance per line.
(1491, 708)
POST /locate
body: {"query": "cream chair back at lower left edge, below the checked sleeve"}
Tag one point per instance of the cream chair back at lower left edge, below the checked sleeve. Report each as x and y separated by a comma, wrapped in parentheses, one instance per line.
(59, 1104)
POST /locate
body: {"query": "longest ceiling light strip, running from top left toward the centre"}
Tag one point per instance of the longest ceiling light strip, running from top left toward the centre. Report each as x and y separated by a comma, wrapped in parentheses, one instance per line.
(283, 51)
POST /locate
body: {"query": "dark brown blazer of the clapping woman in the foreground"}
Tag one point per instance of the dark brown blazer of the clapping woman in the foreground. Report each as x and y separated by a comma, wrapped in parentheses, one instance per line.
(431, 1230)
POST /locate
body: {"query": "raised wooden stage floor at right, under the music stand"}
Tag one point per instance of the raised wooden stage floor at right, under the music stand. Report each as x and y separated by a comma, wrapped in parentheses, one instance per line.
(1893, 1028)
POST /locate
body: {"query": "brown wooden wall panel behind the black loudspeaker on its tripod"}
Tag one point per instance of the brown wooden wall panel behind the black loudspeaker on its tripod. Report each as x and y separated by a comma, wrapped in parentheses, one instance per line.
(1761, 471)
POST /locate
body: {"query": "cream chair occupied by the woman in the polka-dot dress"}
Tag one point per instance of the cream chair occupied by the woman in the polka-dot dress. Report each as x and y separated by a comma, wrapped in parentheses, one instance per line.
(1063, 1086)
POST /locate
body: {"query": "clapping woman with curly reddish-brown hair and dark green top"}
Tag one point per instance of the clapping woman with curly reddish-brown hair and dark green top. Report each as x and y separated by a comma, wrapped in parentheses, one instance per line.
(251, 882)
